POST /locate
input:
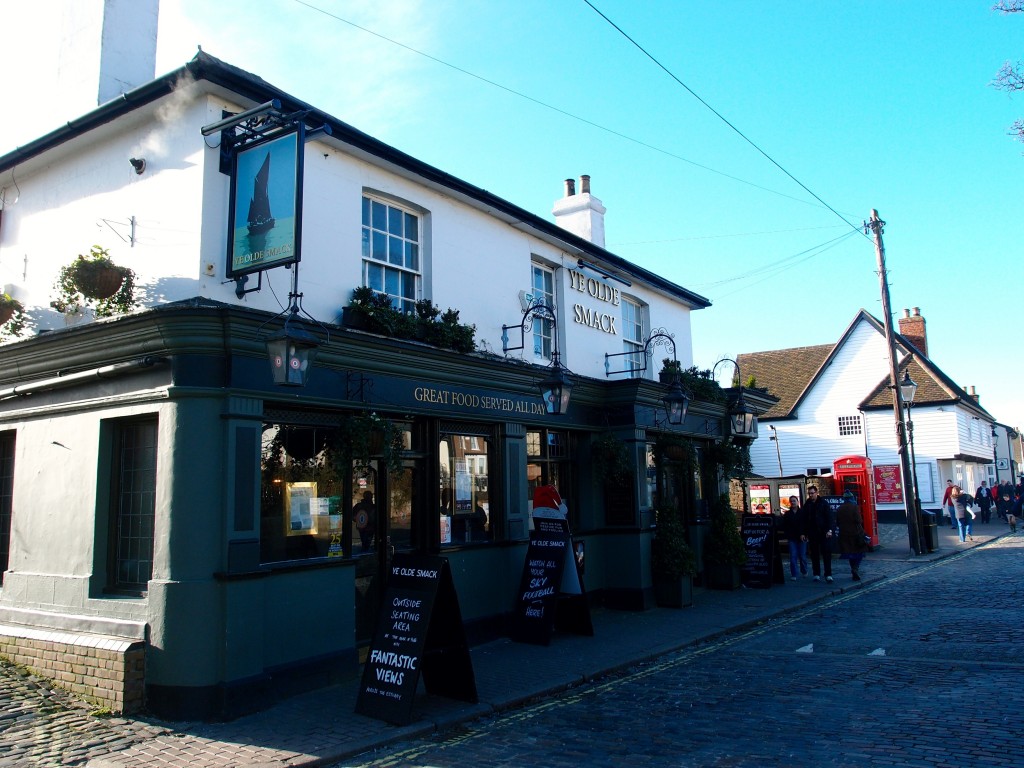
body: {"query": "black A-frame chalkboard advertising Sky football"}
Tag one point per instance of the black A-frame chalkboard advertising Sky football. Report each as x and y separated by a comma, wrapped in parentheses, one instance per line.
(551, 593)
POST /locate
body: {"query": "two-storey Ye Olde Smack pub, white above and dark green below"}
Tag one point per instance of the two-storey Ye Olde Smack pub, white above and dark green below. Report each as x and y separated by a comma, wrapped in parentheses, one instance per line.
(203, 494)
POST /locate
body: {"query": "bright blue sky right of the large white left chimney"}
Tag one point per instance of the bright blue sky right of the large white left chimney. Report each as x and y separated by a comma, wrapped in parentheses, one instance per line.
(869, 105)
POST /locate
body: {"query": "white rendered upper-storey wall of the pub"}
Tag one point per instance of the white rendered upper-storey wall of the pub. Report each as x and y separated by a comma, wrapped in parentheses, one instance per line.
(88, 193)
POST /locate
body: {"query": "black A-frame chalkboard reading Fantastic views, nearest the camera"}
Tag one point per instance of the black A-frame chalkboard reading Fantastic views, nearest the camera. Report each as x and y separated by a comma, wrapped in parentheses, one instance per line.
(419, 631)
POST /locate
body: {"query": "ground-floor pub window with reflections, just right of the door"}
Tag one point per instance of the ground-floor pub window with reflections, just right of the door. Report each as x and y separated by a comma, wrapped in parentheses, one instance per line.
(465, 507)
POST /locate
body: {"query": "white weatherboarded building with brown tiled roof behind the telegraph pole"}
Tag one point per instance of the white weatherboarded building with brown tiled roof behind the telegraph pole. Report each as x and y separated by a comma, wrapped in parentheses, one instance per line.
(835, 402)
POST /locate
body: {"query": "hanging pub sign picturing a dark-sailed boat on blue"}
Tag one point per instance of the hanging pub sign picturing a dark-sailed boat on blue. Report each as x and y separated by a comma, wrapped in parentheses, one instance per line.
(266, 210)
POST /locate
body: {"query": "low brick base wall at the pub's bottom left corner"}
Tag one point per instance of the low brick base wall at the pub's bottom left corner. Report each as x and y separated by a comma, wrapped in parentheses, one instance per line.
(106, 671)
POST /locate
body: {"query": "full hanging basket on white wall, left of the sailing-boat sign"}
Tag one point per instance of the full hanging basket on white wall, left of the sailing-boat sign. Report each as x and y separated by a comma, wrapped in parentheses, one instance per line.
(95, 281)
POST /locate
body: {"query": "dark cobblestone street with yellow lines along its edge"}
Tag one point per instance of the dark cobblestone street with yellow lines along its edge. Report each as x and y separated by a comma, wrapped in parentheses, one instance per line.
(913, 671)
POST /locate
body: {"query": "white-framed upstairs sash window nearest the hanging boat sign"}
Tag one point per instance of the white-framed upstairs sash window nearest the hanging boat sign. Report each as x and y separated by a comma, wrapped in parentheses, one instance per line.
(392, 252)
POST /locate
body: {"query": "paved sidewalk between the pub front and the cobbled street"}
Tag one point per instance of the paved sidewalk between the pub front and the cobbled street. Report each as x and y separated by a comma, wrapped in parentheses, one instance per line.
(45, 728)
